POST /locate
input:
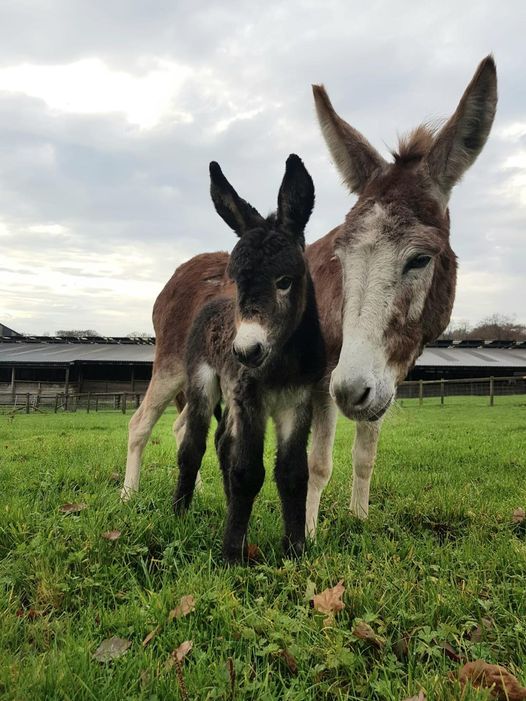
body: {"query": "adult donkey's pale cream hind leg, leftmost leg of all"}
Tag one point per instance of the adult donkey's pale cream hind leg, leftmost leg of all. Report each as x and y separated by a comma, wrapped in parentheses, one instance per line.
(162, 388)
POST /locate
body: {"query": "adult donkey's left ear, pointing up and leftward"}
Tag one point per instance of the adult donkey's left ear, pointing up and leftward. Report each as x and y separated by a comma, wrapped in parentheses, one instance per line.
(353, 155)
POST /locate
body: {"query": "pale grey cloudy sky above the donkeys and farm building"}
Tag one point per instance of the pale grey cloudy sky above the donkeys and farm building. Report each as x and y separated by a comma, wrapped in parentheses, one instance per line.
(111, 110)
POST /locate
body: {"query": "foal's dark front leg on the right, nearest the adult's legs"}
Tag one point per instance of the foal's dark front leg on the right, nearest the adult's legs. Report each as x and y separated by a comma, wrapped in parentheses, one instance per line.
(292, 473)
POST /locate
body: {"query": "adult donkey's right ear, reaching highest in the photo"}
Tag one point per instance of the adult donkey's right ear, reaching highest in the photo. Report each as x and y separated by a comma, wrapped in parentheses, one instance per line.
(463, 136)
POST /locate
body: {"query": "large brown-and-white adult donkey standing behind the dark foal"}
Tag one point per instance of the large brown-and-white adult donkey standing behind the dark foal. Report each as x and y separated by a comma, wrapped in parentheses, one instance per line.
(384, 280)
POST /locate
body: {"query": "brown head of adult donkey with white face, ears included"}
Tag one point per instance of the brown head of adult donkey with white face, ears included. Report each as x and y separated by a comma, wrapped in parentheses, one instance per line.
(399, 272)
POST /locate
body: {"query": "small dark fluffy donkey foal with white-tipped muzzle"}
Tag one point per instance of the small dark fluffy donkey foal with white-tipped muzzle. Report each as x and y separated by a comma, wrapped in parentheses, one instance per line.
(263, 352)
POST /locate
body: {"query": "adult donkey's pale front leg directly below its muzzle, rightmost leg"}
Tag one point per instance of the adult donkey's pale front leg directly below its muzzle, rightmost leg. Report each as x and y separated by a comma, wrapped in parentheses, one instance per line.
(363, 454)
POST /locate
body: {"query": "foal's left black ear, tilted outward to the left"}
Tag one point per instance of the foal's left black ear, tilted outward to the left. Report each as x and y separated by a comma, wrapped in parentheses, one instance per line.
(235, 211)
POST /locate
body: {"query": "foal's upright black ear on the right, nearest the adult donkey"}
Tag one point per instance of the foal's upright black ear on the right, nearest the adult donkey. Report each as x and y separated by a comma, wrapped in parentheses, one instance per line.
(295, 198)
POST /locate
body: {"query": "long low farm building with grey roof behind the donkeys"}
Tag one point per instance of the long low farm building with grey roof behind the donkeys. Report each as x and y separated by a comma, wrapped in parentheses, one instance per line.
(99, 365)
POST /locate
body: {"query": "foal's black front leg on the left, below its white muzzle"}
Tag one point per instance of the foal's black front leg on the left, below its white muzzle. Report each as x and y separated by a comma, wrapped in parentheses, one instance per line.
(246, 477)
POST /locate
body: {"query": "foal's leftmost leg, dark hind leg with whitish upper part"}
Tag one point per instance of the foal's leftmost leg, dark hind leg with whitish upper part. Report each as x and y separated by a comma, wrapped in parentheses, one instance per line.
(203, 395)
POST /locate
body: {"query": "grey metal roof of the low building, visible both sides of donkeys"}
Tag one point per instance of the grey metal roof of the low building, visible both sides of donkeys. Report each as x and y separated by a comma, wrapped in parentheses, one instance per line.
(125, 353)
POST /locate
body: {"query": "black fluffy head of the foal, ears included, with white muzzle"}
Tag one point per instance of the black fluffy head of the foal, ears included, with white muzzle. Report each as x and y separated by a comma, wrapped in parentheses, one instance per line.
(267, 264)
